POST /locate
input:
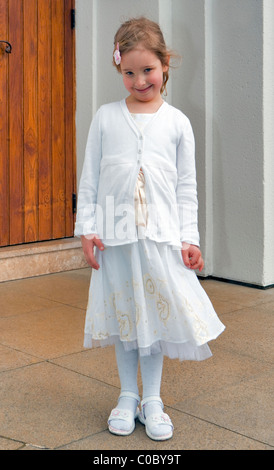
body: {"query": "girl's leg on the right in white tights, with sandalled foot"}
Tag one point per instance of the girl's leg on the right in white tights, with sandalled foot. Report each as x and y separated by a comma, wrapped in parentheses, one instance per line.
(151, 371)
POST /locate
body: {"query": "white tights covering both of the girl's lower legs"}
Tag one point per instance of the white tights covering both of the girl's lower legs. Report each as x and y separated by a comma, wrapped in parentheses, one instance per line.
(151, 372)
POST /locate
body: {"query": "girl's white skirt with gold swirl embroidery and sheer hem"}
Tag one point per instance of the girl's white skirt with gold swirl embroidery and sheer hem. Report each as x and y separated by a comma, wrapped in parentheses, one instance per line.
(144, 296)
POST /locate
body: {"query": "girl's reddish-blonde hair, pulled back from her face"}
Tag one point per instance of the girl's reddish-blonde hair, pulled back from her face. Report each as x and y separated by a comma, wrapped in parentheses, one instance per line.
(142, 30)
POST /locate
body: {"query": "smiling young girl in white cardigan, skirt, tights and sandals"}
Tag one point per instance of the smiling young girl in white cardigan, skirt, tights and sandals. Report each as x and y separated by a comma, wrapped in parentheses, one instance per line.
(137, 218)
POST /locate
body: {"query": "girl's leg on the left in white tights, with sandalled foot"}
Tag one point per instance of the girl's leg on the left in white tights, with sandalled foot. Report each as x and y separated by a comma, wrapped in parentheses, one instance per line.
(127, 363)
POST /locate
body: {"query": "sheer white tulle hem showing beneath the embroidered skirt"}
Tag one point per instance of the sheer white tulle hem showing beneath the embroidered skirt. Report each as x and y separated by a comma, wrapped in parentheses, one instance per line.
(183, 351)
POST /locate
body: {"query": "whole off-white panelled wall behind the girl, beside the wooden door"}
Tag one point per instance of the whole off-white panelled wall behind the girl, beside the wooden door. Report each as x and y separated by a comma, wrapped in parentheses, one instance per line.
(225, 86)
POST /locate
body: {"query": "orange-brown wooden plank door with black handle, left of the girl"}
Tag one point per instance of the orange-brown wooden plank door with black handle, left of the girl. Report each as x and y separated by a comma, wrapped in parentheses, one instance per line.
(37, 151)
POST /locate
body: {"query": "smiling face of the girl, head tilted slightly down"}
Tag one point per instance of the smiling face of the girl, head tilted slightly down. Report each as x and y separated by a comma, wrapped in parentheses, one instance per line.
(142, 73)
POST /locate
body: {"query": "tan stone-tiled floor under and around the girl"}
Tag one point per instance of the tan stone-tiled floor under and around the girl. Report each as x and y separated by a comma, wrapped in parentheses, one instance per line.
(56, 395)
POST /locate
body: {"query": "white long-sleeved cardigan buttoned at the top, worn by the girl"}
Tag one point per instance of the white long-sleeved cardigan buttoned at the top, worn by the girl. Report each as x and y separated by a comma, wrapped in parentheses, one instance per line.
(116, 150)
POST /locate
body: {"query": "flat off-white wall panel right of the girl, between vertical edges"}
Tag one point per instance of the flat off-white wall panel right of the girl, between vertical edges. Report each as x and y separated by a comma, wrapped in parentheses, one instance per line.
(238, 151)
